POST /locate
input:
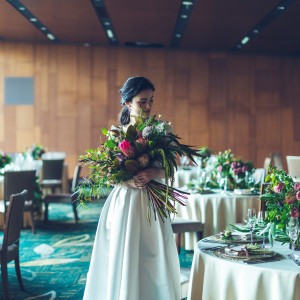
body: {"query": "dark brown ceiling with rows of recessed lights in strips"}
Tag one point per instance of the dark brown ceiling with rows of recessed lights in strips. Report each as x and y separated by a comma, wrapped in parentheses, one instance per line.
(268, 26)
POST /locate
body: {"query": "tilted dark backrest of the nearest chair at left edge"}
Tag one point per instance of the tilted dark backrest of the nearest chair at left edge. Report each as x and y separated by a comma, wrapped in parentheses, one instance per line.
(14, 219)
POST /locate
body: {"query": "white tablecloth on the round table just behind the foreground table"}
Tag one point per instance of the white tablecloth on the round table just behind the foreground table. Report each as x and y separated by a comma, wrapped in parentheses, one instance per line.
(216, 211)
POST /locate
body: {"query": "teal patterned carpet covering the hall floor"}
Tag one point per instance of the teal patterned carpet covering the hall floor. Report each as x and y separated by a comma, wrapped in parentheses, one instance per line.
(55, 261)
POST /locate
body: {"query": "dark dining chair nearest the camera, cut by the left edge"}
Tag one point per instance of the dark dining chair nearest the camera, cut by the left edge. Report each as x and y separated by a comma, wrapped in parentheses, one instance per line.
(9, 250)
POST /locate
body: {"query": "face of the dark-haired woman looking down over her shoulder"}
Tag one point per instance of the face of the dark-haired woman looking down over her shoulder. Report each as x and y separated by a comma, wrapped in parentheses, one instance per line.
(143, 100)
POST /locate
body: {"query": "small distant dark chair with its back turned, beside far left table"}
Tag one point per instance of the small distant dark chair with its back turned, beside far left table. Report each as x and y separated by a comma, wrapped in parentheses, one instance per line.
(52, 170)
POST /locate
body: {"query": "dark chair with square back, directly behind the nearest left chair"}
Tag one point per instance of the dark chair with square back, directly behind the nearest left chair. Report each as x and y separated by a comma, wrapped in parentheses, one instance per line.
(17, 181)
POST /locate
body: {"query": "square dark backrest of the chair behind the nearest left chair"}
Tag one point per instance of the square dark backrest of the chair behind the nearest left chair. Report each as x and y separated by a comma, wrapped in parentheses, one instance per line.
(17, 181)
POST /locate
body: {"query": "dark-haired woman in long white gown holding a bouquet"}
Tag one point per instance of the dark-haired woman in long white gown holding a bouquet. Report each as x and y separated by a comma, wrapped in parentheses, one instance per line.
(131, 259)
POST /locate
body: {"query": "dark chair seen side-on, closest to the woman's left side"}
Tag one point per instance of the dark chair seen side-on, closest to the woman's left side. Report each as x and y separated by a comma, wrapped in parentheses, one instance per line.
(65, 198)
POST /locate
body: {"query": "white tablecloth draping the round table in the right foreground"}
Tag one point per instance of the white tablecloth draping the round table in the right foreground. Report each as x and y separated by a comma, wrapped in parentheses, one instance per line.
(215, 278)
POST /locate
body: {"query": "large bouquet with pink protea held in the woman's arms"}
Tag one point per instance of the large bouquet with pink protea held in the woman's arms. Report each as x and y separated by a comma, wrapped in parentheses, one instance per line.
(148, 143)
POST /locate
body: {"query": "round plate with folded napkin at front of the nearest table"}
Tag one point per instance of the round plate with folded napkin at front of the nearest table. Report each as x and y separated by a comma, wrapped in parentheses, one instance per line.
(232, 253)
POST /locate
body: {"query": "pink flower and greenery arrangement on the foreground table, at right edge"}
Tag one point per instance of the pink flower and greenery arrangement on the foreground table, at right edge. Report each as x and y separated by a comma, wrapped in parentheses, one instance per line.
(282, 200)
